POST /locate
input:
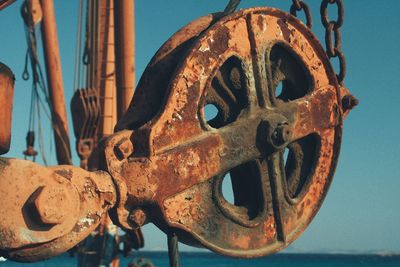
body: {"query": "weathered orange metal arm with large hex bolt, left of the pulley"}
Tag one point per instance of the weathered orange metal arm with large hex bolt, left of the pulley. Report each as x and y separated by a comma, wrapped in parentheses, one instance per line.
(46, 211)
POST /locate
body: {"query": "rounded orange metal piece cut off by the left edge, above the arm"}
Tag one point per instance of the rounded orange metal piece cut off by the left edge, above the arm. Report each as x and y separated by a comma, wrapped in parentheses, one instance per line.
(6, 104)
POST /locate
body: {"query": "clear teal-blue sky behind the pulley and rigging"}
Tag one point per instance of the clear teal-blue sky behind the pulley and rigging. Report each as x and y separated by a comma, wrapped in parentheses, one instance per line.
(361, 212)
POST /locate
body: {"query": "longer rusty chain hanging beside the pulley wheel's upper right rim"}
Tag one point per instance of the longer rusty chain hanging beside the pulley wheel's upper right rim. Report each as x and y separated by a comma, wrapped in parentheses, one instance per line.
(332, 27)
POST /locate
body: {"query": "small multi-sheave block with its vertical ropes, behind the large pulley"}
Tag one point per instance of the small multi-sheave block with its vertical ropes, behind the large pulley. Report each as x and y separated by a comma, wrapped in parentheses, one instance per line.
(85, 103)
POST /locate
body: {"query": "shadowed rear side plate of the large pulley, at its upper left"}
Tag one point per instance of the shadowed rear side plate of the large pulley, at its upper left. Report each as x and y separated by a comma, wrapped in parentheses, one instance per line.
(148, 101)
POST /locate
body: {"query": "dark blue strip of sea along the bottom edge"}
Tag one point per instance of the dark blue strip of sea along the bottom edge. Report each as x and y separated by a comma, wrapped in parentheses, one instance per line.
(197, 259)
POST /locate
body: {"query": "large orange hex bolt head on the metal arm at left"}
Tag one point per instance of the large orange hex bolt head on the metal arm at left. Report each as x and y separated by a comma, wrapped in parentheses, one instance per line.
(53, 205)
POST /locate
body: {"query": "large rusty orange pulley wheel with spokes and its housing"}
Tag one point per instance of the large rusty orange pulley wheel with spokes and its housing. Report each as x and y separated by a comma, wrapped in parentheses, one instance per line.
(277, 133)
